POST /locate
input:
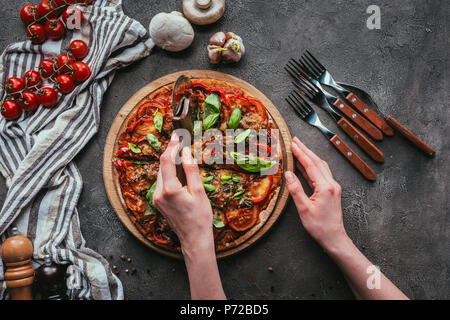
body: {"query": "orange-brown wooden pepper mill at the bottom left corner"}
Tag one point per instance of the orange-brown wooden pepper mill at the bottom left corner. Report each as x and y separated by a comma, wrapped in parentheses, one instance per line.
(17, 251)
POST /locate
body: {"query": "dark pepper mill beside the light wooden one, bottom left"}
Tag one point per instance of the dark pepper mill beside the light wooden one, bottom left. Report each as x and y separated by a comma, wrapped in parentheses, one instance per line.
(50, 280)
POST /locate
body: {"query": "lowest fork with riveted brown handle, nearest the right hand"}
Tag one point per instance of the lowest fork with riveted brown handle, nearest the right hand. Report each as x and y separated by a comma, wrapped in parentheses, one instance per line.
(307, 113)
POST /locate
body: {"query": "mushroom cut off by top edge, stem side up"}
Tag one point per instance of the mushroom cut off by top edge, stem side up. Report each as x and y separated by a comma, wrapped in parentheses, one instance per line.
(203, 11)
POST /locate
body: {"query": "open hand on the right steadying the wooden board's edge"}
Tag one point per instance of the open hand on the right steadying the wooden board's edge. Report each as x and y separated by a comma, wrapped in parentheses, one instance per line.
(321, 214)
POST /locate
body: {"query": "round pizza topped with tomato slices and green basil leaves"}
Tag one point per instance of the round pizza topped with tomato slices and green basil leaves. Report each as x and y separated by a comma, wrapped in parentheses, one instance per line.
(242, 195)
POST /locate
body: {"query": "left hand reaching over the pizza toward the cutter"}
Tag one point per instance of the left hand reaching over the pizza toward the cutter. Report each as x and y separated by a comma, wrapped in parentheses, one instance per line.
(186, 208)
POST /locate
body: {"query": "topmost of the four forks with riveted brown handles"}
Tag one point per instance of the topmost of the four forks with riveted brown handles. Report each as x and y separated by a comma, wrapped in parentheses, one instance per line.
(320, 73)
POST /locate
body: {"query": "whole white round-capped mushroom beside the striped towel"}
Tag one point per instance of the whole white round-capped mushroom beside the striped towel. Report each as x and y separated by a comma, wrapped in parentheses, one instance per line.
(171, 31)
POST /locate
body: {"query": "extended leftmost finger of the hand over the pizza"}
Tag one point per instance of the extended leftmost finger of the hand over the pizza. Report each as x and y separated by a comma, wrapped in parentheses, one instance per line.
(167, 166)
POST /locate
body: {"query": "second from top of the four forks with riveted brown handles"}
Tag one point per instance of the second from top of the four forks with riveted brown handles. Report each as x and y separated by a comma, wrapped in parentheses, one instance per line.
(325, 99)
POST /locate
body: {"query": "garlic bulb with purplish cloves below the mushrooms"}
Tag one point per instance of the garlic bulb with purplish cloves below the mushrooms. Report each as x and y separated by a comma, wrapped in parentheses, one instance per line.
(225, 48)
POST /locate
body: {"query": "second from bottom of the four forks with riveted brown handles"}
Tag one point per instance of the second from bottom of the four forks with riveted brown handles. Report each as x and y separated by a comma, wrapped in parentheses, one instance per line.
(305, 87)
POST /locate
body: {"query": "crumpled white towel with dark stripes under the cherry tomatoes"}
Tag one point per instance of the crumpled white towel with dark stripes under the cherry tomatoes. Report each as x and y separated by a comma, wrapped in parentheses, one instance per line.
(37, 150)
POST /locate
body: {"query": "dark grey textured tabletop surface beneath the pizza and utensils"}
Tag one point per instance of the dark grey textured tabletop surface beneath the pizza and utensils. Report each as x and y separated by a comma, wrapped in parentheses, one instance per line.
(401, 222)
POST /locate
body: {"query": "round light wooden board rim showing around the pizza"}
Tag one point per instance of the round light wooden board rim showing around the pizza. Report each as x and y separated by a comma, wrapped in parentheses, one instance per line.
(111, 180)
